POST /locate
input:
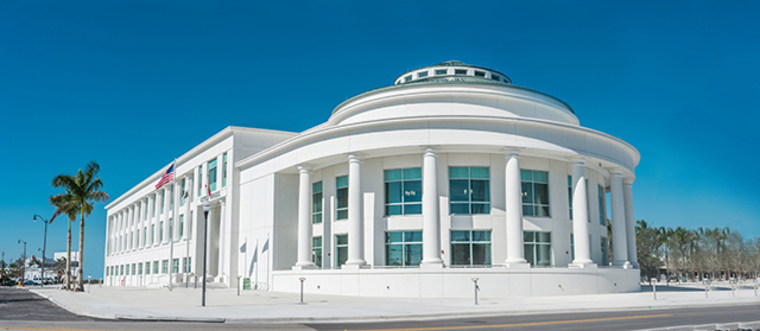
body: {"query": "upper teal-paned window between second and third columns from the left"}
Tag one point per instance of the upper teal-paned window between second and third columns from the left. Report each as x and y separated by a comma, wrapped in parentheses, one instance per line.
(403, 191)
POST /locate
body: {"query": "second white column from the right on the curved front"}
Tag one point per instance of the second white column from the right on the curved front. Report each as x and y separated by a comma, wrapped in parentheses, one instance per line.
(619, 245)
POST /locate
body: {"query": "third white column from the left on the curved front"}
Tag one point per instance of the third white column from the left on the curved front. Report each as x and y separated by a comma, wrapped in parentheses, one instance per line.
(431, 237)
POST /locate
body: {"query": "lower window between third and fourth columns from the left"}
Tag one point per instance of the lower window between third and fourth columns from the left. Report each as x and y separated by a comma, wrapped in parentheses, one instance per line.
(470, 247)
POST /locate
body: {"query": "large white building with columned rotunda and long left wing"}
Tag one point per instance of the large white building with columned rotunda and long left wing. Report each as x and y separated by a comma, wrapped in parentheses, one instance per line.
(411, 190)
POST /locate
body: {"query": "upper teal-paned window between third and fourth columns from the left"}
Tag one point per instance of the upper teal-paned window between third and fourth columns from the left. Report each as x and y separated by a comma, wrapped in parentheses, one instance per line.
(469, 191)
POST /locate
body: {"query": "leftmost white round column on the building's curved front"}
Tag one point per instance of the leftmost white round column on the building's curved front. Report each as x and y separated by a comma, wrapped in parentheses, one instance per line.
(304, 218)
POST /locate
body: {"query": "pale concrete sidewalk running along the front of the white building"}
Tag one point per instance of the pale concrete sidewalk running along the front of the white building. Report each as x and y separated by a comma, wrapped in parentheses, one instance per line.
(223, 305)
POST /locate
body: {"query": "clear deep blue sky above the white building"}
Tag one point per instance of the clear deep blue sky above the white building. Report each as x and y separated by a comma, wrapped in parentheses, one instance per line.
(134, 84)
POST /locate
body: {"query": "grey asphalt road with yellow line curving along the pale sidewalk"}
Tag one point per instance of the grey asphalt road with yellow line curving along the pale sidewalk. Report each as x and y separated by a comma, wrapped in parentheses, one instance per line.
(22, 310)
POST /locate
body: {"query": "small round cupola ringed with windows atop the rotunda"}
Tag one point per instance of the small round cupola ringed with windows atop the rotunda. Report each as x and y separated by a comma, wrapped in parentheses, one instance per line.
(452, 71)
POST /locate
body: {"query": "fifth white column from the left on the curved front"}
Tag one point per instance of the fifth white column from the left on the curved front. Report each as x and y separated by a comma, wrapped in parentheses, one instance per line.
(582, 247)
